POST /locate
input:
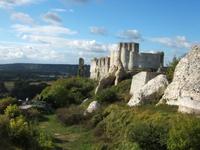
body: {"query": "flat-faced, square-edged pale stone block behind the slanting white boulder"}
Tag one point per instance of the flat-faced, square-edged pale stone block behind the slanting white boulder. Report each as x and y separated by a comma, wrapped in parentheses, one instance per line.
(140, 79)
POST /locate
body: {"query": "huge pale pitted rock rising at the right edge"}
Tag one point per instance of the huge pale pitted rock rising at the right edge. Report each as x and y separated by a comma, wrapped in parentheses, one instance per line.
(186, 83)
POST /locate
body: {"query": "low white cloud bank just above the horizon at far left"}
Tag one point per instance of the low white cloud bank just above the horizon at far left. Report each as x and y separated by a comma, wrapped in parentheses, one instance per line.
(28, 52)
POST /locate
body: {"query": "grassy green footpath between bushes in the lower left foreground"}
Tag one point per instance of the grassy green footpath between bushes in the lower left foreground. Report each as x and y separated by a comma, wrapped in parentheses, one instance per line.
(68, 137)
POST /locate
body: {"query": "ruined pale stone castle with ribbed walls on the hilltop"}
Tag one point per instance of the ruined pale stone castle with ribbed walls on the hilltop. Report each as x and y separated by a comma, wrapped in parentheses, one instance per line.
(130, 58)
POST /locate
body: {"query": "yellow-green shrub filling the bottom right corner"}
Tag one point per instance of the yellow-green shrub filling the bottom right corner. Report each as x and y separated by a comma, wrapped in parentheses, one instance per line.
(184, 134)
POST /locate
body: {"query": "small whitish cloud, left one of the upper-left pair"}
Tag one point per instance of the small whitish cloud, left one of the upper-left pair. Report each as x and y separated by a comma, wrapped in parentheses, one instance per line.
(22, 18)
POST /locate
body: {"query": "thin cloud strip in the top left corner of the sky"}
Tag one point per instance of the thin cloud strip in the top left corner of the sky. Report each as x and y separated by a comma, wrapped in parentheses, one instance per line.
(13, 3)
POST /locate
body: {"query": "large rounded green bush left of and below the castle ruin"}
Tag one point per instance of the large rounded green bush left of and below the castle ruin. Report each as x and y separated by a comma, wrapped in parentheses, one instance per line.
(69, 91)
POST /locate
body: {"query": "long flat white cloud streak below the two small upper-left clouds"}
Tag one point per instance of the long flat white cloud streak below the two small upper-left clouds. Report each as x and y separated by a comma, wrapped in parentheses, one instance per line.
(49, 30)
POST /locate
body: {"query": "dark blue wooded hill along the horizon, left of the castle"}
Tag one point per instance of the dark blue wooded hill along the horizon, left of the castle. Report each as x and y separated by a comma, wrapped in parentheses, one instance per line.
(38, 71)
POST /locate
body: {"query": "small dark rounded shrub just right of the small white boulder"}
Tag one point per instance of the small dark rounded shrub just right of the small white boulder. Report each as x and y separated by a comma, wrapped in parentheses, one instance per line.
(108, 95)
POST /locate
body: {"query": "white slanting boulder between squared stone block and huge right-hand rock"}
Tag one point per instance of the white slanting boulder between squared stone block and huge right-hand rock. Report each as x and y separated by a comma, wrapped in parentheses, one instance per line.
(151, 91)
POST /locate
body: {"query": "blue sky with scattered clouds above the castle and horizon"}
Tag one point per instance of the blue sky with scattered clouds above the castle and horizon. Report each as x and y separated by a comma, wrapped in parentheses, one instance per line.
(61, 31)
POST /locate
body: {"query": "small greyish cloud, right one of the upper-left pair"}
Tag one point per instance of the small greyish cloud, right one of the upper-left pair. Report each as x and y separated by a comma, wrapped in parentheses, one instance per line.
(52, 17)
